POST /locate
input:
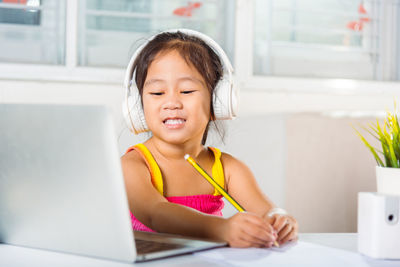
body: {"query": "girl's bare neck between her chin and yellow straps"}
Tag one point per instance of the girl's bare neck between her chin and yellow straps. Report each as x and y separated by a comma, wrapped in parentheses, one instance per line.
(174, 152)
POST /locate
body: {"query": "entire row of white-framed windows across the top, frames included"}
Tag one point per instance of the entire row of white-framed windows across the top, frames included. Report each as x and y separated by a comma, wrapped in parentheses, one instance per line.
(92, 40)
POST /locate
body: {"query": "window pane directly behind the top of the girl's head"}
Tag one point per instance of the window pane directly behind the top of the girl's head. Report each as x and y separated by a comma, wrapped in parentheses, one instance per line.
(110, 31)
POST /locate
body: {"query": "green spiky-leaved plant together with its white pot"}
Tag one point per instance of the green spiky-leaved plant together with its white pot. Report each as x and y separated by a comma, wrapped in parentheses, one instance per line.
(388, 169)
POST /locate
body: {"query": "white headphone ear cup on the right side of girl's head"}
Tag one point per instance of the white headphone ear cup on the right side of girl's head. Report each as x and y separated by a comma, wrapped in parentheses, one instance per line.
(224, 100)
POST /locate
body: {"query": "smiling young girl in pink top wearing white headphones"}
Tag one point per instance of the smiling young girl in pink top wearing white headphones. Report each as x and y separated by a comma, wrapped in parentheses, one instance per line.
(176, 77)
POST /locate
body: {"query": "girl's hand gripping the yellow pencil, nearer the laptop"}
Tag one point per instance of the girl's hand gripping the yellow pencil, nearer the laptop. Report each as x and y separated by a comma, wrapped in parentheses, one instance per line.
(248, 230)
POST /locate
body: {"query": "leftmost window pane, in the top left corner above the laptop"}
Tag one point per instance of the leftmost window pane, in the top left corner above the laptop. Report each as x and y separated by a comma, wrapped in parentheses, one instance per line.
(32, 31)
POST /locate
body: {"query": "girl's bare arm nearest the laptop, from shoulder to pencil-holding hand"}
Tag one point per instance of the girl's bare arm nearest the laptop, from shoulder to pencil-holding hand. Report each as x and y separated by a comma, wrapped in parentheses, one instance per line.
(154, 211)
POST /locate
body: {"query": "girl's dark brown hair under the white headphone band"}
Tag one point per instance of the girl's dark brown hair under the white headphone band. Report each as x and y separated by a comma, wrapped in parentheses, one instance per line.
(194, 51)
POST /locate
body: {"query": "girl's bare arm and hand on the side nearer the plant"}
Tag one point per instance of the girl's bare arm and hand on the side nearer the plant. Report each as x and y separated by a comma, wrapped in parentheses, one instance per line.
(242, 186)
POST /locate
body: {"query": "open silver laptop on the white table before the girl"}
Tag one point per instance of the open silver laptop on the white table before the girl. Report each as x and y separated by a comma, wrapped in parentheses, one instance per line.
(62, 189)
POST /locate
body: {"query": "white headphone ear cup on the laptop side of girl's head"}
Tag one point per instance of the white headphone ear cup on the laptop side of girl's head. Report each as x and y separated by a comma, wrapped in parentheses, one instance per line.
(133, 112)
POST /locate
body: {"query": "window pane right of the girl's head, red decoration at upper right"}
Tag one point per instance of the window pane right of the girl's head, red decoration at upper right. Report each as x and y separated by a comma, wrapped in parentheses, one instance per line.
(327, 38)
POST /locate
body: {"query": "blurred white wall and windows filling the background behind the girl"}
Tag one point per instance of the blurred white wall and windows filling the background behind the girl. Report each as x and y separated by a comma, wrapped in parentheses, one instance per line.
(307, 72)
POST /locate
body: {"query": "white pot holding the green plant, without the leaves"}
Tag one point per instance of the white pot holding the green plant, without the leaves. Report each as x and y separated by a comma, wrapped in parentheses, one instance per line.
(388, 180)
